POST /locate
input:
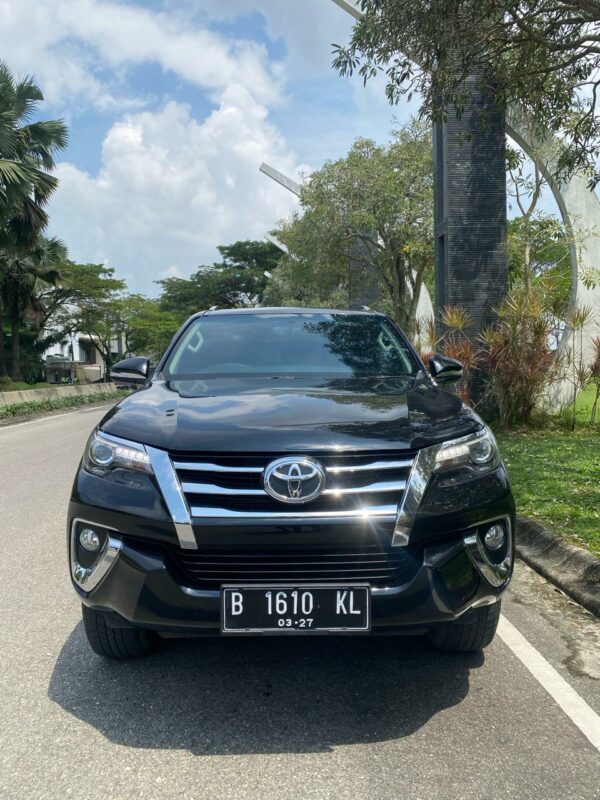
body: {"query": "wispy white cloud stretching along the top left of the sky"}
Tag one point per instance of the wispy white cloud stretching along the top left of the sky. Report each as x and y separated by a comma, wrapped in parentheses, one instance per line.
(77, 49)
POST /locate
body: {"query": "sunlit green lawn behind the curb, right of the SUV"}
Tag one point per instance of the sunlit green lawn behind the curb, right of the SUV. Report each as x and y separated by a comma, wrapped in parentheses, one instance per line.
(556, 480)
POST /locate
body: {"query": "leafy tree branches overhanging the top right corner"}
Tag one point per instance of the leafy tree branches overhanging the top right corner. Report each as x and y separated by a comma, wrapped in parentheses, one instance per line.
(541, 54)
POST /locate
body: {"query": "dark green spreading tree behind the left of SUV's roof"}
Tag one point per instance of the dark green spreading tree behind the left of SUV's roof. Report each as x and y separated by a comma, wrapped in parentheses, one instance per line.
(240, 280)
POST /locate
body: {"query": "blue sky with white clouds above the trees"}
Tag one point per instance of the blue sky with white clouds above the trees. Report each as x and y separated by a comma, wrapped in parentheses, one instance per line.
(172, 106)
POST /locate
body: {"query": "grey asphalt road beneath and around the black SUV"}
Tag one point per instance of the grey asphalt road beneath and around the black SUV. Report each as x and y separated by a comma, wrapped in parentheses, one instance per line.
(311, 718)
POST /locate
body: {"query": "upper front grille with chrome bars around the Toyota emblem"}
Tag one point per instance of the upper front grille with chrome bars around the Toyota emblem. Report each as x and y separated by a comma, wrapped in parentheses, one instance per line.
(231, 487)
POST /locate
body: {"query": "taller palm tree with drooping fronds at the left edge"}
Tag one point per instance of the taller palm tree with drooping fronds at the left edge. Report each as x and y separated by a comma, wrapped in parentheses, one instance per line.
(26, 158)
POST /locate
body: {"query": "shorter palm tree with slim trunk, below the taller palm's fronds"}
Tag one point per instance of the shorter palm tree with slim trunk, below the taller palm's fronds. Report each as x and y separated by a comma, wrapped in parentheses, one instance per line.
(27, 276)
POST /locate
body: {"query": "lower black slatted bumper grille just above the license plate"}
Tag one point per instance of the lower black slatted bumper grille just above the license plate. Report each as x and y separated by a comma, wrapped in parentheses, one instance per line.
(374, 564)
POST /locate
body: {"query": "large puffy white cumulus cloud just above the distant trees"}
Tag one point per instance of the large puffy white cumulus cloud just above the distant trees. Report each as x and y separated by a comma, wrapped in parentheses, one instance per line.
(171, 188)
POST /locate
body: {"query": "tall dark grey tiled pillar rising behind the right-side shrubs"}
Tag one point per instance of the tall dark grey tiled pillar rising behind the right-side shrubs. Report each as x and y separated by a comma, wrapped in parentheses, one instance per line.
(471, 258)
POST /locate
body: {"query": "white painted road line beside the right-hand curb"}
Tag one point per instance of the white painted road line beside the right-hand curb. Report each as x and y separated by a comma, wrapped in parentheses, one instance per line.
(552, 681)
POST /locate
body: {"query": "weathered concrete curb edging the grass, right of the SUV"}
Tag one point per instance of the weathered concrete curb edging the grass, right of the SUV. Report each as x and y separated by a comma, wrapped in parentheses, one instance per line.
(572, 569)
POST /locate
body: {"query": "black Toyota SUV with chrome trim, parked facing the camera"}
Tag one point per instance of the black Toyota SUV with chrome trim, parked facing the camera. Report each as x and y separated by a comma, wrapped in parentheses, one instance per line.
(290, 472)
